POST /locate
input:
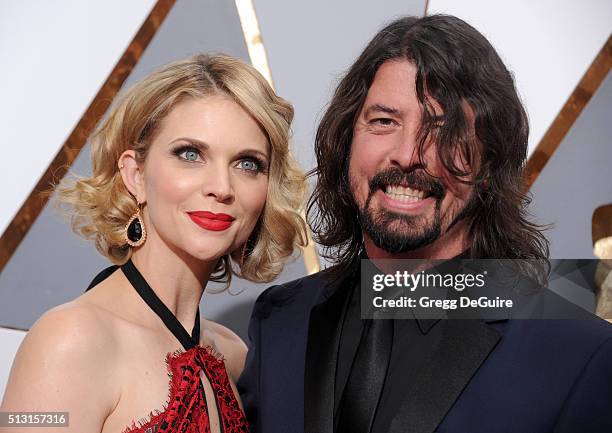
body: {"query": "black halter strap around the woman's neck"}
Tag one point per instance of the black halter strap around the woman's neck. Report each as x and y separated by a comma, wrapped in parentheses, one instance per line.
(148, 295)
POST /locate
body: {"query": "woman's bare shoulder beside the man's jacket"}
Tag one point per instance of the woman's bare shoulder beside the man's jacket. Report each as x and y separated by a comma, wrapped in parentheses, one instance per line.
(229, 344)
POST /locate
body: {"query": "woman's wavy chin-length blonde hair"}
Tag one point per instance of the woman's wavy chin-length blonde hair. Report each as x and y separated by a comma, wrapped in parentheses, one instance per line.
(100, 205)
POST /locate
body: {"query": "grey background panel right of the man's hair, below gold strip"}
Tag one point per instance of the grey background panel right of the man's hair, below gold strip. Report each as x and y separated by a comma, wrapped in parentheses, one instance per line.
(576, 179)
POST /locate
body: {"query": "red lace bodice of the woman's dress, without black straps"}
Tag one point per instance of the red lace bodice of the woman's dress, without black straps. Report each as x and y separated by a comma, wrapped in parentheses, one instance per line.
(186, 410)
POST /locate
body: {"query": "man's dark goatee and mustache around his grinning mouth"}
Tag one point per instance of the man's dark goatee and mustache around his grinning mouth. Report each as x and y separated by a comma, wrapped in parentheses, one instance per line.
(410, 231)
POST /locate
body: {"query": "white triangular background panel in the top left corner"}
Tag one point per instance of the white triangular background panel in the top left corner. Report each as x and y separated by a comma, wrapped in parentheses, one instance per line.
(55, 56)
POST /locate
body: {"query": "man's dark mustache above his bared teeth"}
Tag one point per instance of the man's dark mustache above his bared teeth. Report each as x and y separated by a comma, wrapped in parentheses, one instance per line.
(415, 179)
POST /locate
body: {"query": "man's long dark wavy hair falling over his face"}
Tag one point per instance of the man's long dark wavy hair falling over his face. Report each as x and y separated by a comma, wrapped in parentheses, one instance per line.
(455, 65)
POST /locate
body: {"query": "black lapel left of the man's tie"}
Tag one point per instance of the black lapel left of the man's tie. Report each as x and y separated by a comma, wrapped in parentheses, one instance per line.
(321, 357)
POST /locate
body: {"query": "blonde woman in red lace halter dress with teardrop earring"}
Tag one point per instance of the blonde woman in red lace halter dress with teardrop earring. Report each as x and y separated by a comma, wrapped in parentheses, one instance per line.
(192, 181)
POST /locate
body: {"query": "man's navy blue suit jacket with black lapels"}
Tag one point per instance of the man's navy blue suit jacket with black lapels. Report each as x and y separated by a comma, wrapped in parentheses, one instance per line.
(524, 376)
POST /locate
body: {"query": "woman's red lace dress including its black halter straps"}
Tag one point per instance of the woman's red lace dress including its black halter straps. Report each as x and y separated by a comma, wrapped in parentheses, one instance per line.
(187, 409)
